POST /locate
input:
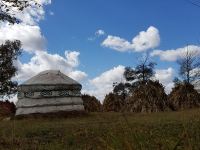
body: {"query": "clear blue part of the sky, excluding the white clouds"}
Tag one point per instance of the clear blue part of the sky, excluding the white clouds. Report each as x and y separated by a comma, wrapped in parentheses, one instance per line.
(75, 21)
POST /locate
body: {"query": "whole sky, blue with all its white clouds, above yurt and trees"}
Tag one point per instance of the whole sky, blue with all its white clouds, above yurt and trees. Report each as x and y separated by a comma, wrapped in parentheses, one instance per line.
(63, 35)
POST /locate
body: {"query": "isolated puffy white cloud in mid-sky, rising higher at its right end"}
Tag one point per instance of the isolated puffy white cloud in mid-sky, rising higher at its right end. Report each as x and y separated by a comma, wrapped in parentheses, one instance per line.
(143, 41)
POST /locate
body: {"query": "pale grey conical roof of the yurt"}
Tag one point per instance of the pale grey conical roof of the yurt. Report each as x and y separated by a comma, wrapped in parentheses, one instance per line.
(49, 80)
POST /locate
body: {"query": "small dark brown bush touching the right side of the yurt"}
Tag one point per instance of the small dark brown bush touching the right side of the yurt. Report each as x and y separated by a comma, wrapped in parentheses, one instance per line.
(91, 104)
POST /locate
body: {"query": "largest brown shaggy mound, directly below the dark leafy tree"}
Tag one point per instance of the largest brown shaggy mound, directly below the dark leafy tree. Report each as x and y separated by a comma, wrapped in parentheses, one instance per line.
(147, 97)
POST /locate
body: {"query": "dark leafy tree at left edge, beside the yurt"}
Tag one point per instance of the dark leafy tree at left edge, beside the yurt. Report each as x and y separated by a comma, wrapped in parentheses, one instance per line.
(8, 53)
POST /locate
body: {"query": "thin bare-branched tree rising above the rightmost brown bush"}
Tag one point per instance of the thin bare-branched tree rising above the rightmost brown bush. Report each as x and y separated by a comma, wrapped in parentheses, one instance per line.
(189, 66)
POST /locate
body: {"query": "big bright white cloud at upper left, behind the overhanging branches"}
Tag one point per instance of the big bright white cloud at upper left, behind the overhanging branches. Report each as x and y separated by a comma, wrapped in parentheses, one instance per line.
(28, 32)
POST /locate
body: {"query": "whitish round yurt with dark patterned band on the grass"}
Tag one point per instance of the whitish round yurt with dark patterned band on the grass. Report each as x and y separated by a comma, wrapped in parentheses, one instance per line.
(49, 92)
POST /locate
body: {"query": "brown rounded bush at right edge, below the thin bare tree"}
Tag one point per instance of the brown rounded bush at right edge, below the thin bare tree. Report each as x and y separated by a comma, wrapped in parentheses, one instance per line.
(184, 96)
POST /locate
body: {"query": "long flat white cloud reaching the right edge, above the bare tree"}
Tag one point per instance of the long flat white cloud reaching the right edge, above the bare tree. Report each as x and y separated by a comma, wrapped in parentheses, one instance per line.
(175, 54)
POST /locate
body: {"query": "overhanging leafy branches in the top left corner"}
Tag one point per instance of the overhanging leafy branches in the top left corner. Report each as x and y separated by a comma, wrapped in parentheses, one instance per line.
(8, 8)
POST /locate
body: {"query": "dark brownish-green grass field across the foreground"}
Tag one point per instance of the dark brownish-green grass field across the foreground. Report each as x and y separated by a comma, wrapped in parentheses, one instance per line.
(167, 130)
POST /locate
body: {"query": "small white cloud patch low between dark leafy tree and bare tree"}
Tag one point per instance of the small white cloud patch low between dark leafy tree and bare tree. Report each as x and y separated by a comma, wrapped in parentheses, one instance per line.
(166, 76)
